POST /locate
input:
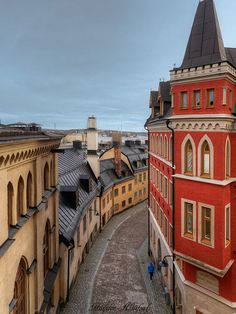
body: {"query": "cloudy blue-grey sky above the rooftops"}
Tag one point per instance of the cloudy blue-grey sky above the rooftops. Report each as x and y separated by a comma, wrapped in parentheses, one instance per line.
(64, 60)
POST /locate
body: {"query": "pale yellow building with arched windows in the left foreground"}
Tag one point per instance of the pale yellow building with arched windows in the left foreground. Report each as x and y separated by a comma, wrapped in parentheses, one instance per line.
(29, 244)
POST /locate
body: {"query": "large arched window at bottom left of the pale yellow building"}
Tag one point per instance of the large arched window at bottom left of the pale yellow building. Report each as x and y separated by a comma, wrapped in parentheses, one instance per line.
(20, 290)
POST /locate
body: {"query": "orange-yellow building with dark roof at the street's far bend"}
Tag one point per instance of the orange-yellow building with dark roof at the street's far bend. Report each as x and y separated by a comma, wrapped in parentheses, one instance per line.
(128, 188)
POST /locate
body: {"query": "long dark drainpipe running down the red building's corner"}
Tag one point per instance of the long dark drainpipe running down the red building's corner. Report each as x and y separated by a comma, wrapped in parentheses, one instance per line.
(173, 209)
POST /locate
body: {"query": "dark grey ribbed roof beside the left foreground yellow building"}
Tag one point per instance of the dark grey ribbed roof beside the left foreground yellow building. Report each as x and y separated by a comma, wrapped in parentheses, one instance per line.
(71, 166)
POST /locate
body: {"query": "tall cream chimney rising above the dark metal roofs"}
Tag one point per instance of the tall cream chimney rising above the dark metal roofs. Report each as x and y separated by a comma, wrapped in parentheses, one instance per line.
(92, 146)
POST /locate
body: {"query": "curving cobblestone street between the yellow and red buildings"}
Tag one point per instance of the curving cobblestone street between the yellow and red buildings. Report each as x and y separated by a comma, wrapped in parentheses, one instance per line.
(113, 278)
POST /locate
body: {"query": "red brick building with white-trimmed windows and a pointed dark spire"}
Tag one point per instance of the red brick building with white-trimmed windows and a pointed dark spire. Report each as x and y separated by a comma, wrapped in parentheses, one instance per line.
(192, 195)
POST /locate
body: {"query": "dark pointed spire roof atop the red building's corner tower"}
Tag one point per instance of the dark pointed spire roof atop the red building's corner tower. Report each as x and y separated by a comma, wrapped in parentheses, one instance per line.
(205, 45)
